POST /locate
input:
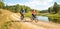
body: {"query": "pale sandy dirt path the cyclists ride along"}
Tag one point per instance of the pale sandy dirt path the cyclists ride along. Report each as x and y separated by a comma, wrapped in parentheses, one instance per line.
(39, 25)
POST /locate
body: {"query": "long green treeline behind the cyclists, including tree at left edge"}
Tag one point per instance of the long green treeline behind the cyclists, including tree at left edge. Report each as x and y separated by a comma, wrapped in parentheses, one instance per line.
(14, 8)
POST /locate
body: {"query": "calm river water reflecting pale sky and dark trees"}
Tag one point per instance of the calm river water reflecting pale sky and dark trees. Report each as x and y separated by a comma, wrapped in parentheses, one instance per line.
(48, 19)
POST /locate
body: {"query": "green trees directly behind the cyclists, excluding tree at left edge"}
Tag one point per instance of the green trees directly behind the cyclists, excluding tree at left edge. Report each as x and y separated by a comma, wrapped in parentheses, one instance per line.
(17, 8)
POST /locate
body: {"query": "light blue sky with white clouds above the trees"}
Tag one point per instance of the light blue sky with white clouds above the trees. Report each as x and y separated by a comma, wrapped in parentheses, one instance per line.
(33, 4)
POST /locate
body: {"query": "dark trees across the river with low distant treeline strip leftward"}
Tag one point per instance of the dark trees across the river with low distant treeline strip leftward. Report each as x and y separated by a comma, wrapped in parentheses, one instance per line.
(53, 9)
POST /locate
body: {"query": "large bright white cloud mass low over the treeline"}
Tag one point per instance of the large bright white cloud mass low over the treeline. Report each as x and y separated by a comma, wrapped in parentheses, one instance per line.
(43, 4)
